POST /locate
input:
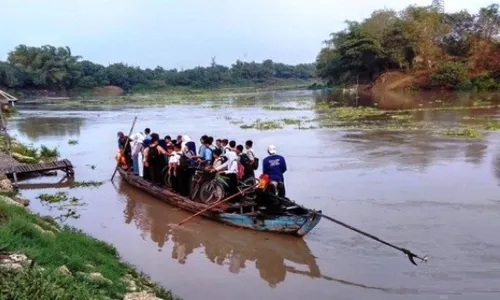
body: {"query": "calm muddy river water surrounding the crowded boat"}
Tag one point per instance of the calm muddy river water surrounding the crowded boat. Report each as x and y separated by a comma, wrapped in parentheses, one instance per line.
(432, 194)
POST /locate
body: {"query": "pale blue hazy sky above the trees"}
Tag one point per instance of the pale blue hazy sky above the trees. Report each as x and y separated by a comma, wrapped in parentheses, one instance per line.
(187, 33)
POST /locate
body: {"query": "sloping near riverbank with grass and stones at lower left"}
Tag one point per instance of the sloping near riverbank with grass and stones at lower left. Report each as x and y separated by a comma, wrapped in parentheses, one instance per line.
(40, 257)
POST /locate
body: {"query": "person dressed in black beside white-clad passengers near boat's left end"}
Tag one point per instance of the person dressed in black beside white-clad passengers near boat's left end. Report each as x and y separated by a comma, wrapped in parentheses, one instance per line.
(154, 159)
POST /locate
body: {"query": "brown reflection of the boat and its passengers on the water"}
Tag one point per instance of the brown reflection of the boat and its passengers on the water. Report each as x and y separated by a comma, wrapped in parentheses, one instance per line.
(273, 256)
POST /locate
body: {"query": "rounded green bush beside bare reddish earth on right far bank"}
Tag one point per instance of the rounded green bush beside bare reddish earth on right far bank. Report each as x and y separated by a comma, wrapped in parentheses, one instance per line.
(449, 75)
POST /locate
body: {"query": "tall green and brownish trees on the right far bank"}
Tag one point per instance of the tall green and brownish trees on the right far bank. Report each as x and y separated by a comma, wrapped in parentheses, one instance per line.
(454, 50)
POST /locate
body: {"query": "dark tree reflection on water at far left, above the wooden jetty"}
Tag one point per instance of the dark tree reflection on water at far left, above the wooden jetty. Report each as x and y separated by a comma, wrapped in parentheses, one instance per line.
(39, 127)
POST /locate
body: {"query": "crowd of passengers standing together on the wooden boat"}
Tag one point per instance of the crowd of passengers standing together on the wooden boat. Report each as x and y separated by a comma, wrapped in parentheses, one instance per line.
(178, 158)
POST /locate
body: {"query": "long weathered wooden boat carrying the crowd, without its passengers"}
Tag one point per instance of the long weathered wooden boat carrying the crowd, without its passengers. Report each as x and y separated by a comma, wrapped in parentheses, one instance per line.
(291, 218)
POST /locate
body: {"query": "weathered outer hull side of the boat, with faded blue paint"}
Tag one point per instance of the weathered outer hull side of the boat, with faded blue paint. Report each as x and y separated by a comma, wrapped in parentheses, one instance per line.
(298, 225)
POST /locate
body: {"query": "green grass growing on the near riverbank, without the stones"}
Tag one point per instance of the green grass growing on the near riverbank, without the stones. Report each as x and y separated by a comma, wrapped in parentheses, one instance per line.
(69, 247)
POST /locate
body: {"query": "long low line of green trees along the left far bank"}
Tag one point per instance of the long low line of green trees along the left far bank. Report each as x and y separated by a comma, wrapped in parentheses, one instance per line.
(50, 67)
